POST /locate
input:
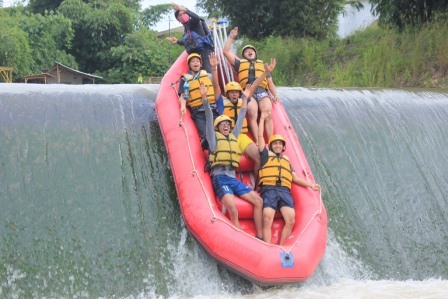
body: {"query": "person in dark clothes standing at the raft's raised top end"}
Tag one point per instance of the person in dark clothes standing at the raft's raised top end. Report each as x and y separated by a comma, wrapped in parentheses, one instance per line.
(196, 38)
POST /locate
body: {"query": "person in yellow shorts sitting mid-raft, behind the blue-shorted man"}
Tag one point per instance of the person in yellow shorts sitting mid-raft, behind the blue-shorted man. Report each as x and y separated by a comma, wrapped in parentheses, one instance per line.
(231, 104)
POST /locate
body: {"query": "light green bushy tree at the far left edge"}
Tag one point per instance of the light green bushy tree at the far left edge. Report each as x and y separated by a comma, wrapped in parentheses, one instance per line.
(31, 42)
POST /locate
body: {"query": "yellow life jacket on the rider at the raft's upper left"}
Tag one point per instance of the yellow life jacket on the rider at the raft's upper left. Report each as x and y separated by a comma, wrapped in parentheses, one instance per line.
(194, 97)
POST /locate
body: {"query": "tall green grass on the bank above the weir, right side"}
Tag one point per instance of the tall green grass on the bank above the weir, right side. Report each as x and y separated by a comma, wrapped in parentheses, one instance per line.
(374, 57)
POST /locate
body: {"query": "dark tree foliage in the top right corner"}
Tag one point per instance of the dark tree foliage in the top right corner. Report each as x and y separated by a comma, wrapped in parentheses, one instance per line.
(402, 13)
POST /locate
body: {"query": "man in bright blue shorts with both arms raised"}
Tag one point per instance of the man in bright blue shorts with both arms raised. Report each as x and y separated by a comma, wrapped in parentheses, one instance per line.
(224, 158)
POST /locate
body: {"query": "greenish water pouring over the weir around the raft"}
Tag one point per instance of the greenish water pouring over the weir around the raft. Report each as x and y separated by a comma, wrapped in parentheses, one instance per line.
(89, 210)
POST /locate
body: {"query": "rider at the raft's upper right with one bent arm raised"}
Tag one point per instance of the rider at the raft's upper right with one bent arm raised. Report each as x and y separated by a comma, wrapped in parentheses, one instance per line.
(249, 67)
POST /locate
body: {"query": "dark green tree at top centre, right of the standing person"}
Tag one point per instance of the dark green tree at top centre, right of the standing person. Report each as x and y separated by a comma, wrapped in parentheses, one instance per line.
(295, 18)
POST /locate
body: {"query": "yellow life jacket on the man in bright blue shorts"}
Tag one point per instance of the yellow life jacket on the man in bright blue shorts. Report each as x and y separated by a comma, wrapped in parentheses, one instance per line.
(227, 151)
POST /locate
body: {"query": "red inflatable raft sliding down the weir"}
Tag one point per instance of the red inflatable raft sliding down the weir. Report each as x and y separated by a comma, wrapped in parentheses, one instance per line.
(239, 250)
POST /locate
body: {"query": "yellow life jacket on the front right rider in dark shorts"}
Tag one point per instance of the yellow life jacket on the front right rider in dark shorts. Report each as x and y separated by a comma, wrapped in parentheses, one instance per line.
(277, 169)
